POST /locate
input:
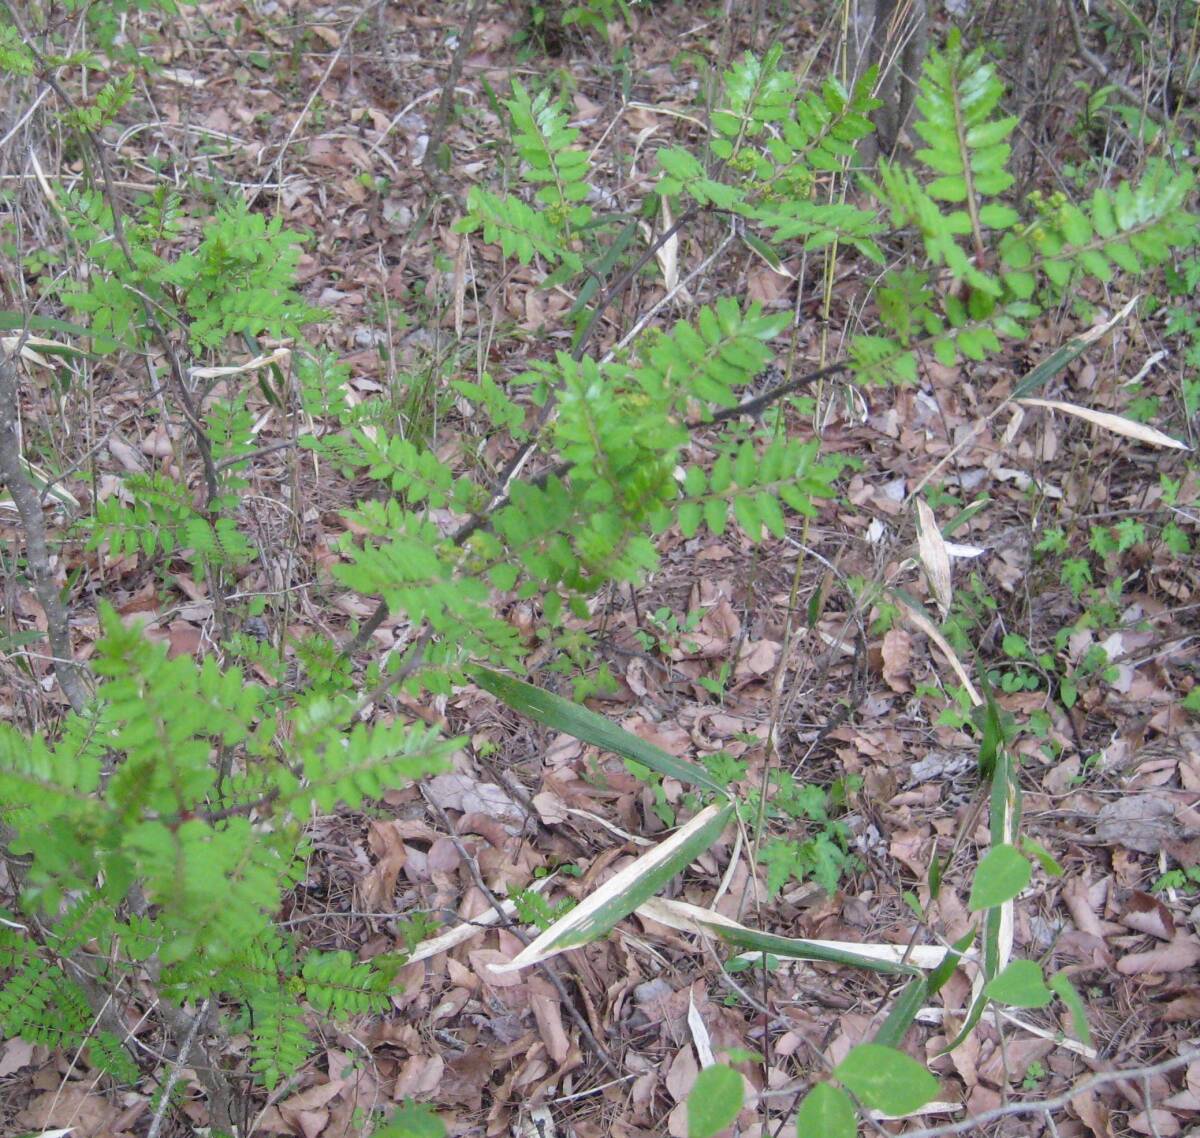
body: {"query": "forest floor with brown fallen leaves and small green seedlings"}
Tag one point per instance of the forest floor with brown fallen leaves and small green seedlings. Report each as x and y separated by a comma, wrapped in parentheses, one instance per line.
(322, 115)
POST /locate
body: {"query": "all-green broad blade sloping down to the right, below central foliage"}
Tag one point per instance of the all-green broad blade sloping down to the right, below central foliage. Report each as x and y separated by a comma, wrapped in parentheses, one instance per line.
(562, 715)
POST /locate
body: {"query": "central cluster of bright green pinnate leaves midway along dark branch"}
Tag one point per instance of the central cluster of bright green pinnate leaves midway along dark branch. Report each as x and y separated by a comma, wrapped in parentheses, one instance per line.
(586, 524)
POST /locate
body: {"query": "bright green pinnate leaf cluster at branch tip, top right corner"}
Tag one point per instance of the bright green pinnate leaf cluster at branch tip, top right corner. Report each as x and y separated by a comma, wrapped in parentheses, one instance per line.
(992, 267)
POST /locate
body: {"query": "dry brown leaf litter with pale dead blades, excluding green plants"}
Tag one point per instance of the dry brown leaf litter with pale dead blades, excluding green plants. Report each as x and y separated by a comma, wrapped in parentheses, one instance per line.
(490, 1044)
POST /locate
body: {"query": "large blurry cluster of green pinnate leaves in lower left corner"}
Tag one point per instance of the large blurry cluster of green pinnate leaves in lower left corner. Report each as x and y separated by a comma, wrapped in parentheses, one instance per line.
(184, 795)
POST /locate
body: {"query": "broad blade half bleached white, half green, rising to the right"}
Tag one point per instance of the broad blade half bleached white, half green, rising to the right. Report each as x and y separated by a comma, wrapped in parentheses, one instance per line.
(622, 894)
